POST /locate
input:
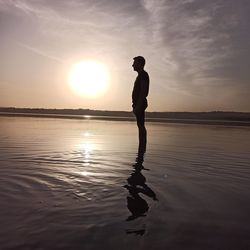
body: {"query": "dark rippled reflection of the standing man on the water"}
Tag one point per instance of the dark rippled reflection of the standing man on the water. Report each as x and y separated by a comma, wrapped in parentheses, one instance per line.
(136, 186)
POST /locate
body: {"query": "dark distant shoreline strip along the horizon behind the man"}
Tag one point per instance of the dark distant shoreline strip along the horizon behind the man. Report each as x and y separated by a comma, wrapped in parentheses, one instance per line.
(205, 118)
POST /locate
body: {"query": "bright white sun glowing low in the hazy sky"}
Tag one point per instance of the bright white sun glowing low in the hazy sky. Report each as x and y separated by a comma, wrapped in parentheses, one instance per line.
(88, 78)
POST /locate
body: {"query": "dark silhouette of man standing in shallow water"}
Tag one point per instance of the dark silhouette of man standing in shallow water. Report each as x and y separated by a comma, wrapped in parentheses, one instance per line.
(139, 99)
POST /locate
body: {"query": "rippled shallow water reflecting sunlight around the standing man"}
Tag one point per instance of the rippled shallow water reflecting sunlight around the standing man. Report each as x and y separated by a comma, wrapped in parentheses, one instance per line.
(62, 185)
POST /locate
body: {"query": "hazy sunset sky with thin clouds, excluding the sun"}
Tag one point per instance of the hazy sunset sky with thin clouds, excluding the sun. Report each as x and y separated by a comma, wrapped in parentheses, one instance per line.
(197, 52)
